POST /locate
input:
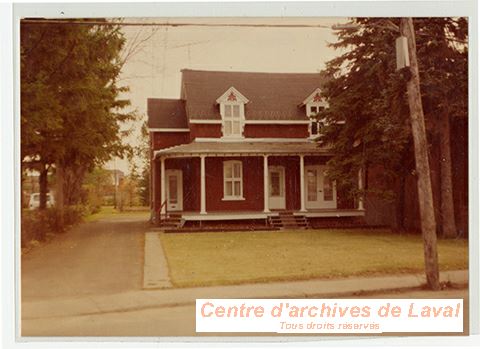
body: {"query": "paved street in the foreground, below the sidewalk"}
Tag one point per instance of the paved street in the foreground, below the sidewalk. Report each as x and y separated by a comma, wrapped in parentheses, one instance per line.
(170, 321)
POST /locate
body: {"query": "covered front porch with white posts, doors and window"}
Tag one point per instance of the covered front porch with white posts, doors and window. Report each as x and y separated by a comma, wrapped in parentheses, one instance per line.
(218, 181)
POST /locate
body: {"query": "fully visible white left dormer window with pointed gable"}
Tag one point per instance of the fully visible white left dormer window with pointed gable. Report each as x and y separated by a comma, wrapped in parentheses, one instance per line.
(232, 110)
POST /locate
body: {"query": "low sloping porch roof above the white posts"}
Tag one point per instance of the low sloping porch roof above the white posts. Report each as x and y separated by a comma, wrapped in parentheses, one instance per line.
(244, 148)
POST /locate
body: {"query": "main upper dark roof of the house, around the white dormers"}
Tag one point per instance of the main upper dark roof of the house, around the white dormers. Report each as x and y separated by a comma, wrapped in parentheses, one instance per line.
(272, 96)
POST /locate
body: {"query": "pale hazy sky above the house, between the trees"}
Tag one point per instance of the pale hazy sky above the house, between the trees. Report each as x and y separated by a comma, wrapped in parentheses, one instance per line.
(155, 68)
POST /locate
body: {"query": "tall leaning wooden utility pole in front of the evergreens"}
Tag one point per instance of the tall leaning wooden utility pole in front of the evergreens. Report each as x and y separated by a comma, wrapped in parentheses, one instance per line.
(424, 184)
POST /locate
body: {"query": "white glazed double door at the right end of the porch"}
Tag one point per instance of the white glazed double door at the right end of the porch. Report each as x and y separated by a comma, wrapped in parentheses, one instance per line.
(320, 191)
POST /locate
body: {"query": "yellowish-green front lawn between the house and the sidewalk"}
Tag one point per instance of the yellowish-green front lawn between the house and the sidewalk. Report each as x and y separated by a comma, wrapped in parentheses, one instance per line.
(199, 259)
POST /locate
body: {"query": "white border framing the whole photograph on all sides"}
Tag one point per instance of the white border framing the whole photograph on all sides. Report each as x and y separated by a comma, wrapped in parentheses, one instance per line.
(10, 152)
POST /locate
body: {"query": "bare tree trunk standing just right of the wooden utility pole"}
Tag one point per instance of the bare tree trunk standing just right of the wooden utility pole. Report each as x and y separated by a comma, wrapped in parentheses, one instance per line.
(449, 229)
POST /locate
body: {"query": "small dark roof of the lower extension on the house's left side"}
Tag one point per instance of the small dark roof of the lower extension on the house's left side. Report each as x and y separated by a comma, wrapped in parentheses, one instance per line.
(166, 113)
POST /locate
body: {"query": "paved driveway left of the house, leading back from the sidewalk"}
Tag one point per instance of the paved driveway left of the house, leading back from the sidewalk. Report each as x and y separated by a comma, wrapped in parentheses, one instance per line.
(93, 258)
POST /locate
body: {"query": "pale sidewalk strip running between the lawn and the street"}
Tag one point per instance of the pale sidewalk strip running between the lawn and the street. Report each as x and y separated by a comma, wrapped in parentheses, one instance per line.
(137, 300)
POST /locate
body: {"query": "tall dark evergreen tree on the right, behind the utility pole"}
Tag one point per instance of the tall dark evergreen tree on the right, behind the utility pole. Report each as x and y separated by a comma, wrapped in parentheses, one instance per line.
(365, 90)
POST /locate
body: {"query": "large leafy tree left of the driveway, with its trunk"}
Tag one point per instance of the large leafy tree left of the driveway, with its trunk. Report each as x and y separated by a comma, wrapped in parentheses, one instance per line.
(72, 105)
